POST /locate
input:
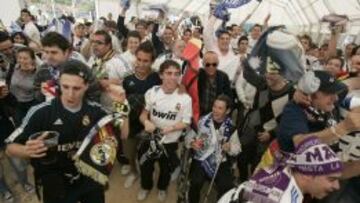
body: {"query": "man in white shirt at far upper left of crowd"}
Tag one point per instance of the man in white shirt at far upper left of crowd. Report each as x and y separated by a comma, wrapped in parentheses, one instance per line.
(29, 27)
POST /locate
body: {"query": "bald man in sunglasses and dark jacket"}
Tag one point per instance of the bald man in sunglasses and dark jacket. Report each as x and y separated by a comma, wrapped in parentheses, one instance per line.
(212, 82)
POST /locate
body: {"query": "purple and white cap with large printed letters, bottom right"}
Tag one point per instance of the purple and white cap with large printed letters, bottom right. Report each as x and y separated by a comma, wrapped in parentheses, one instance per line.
(314, 158)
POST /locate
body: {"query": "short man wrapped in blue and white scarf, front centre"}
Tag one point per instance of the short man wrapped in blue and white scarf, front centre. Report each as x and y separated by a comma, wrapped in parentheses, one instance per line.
(214, 144)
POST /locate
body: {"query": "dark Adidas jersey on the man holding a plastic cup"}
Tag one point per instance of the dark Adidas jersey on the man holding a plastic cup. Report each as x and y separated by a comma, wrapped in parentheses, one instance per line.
(72, 127)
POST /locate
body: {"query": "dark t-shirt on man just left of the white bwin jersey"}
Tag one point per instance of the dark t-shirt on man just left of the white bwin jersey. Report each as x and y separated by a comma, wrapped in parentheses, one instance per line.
(135, 90)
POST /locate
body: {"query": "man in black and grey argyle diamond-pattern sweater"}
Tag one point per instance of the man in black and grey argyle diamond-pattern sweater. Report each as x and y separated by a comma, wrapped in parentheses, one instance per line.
(272, 92)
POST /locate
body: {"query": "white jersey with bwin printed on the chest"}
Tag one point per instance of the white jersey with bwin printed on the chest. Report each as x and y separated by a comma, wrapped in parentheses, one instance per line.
(168, 109)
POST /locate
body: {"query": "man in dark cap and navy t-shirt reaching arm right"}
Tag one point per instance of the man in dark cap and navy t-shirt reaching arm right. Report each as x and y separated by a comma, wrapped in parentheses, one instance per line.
(317, 118)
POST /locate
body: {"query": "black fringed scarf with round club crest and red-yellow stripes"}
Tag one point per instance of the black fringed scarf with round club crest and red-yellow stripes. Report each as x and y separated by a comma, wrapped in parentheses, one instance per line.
(96, 155)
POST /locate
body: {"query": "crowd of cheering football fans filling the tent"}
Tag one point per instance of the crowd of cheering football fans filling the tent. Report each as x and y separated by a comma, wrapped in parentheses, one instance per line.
(261, 137)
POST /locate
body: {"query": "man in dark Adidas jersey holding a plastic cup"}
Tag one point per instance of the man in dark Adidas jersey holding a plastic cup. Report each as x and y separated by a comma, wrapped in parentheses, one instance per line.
(72, 116)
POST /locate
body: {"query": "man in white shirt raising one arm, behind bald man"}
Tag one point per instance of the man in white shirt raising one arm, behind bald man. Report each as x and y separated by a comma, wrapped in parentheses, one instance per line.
(228, 61)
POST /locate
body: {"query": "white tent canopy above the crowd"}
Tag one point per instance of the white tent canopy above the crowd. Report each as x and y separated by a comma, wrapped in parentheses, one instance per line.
(300, 16)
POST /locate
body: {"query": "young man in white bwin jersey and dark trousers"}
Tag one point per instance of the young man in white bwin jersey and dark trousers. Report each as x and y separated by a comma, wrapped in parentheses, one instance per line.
(170, 111)
